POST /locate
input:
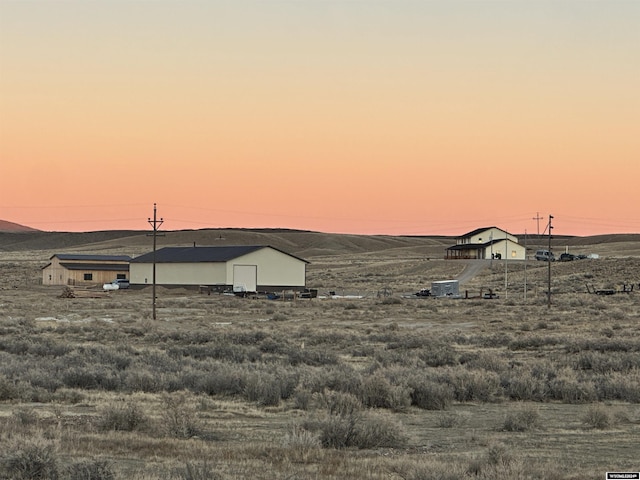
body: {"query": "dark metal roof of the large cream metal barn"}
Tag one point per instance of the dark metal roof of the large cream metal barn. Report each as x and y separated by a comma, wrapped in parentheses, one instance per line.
(202, 254)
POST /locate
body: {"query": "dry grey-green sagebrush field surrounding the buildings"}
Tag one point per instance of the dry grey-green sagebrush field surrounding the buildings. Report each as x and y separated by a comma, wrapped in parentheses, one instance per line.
(387, 386)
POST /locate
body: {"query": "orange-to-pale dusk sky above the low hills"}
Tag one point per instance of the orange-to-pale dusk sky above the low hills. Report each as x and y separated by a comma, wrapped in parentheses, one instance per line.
(347, 116)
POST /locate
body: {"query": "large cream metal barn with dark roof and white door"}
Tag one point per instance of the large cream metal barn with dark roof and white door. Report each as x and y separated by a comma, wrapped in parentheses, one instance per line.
(241, 268)
